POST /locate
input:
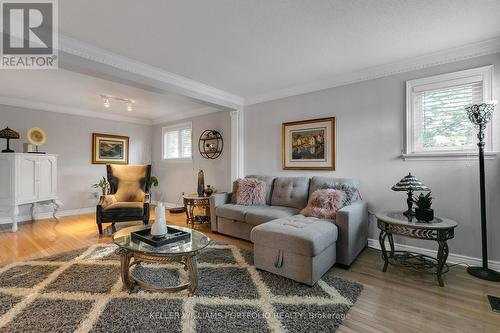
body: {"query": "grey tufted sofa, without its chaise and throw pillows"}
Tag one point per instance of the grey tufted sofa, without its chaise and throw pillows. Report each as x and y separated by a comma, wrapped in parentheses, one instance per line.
(286, 197)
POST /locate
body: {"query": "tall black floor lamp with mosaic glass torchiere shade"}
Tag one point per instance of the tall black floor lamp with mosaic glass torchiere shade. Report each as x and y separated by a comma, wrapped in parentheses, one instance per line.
(480, 115)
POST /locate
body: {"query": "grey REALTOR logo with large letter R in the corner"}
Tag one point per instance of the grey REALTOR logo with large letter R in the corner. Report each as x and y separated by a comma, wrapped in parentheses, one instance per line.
(29, 34)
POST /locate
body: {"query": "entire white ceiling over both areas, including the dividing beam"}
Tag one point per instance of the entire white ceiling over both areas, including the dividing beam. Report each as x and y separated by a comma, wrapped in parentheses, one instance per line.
(239, 51)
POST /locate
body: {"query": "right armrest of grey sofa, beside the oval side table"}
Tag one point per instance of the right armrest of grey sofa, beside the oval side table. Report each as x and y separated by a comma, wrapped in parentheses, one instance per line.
(352, 223)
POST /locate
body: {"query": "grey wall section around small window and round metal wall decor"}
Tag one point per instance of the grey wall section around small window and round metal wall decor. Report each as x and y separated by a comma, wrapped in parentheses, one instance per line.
(178, 177)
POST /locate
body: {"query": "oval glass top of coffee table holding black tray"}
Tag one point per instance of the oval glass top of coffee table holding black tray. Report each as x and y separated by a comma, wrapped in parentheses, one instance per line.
(197, 242)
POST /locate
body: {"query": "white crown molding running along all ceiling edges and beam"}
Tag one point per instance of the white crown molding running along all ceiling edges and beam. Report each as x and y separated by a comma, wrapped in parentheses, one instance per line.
(193, 89)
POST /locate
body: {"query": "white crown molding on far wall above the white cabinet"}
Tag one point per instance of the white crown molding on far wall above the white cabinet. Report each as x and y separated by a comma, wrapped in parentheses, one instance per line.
(36, 105)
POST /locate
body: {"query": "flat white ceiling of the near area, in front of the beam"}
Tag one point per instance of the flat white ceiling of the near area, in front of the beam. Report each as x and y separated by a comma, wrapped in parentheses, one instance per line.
(252, 48)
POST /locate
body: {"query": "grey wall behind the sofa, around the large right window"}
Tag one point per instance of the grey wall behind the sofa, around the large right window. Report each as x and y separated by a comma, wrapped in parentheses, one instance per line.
(370, 137)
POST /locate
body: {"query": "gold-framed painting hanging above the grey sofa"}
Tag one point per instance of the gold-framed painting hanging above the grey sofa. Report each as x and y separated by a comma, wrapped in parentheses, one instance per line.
(309, 144)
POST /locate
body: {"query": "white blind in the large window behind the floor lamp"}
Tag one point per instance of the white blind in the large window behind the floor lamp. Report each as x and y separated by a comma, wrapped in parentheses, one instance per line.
(441, 122)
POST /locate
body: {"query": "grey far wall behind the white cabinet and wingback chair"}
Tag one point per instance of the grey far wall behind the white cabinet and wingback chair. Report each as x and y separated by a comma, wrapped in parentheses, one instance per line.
(71, 138)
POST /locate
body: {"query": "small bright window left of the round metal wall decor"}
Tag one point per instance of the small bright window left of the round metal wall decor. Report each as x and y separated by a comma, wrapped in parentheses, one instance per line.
(177, 142)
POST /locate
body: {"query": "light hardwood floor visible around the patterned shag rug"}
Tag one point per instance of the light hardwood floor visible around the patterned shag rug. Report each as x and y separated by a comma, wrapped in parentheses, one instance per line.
(396, 301)
